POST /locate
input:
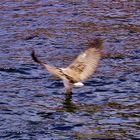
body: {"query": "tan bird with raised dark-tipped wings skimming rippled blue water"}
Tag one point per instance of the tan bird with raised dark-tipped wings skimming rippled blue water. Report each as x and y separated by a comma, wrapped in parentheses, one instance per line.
(80, 69)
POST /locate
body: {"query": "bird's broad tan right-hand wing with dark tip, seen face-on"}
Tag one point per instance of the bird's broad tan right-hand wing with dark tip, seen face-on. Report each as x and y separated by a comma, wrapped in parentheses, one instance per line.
(85, 64)
